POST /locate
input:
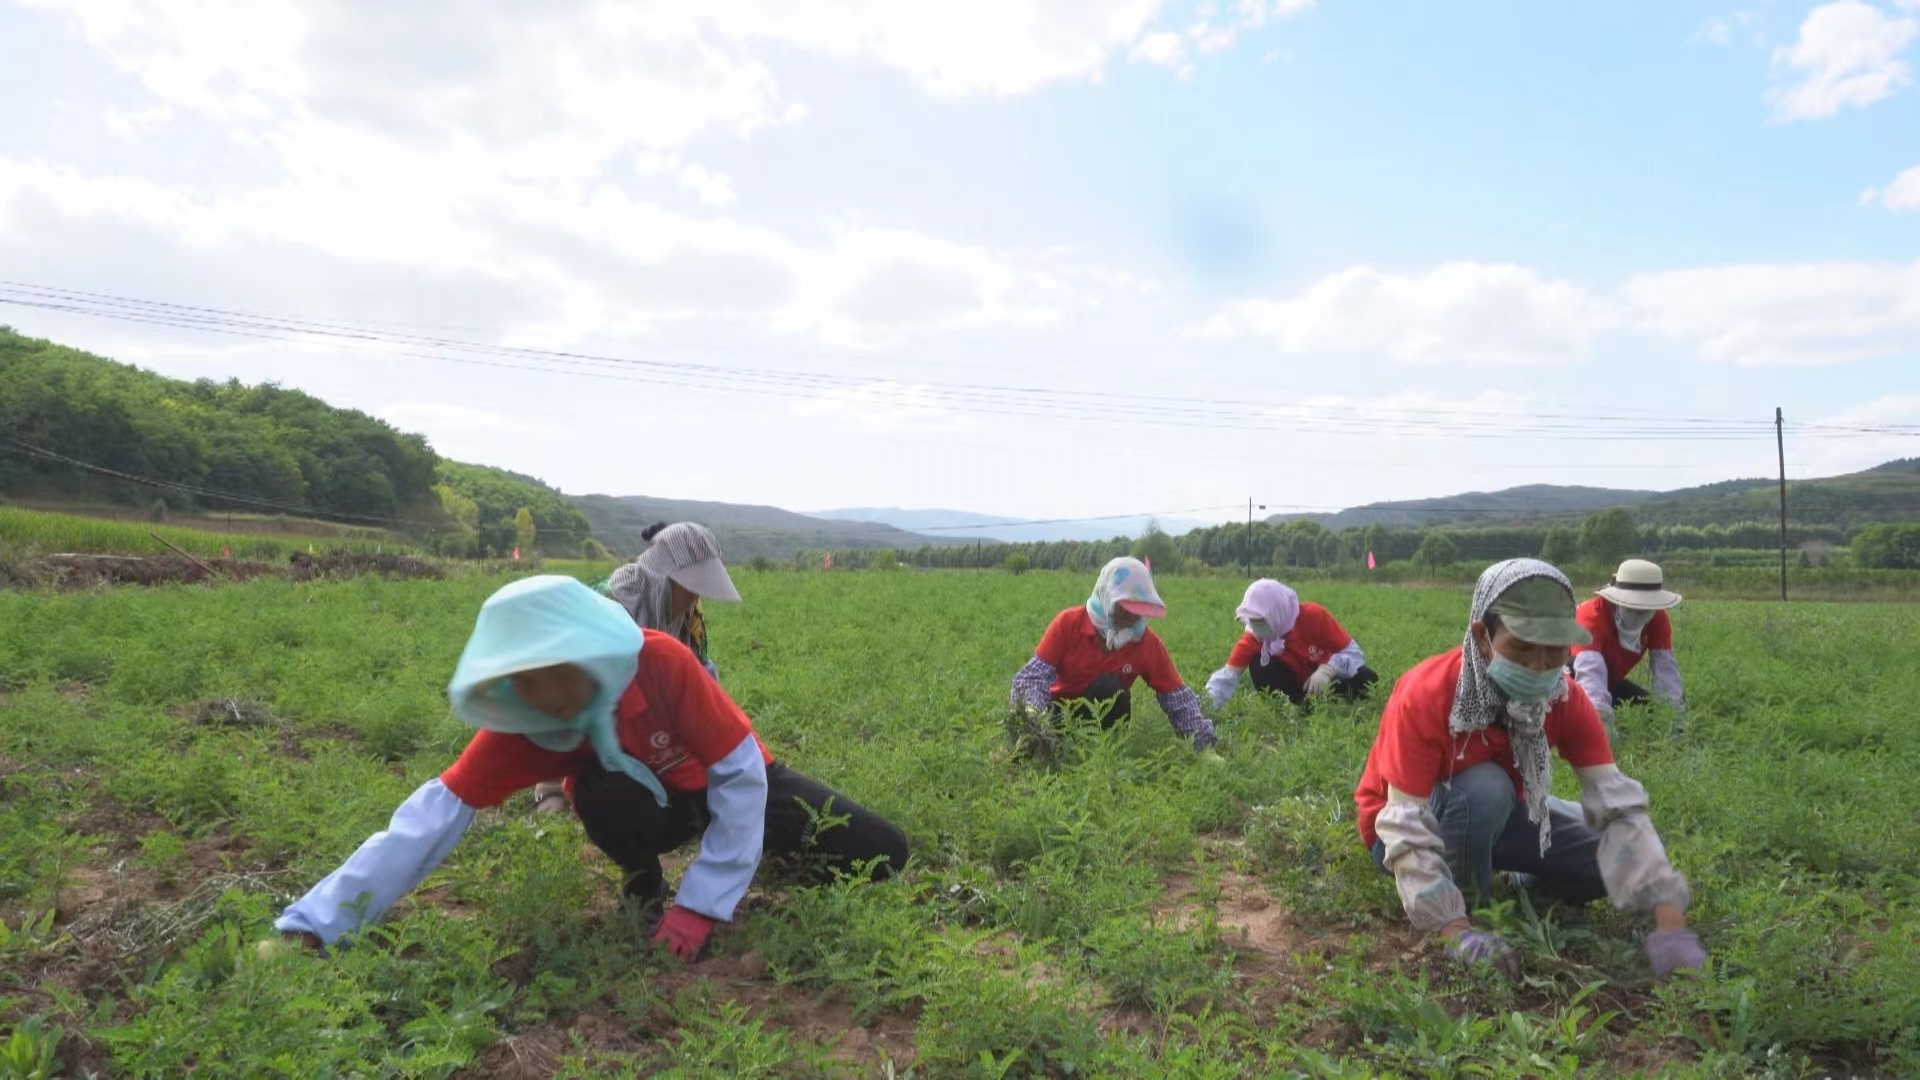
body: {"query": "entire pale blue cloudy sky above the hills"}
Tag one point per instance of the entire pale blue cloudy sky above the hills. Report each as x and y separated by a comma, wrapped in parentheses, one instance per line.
(1372, 233)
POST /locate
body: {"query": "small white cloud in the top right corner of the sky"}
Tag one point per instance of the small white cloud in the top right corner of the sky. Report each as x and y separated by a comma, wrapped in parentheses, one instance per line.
(1848, 55)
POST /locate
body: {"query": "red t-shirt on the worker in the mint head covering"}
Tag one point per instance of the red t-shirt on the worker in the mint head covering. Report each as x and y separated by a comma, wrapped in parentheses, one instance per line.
(673, 718)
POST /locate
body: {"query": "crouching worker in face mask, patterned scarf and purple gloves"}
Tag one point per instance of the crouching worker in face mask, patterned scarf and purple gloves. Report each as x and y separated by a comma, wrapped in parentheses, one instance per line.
(1458, 783)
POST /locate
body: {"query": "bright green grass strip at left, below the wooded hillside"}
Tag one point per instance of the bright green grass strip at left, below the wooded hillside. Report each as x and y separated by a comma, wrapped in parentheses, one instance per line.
(68, 533)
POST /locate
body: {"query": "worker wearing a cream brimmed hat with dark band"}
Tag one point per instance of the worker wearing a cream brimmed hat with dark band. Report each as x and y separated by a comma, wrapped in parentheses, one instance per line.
(1629, 622)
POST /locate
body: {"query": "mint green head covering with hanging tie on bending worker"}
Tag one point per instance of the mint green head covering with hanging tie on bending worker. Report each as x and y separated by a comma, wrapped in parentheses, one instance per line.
(542, 622)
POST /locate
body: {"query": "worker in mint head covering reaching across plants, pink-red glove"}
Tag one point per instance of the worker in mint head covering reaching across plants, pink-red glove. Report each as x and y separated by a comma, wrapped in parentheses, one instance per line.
(562, 683)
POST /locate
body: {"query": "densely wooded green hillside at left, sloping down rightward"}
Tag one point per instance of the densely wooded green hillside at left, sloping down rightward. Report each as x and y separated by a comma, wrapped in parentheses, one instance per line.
(262, 449)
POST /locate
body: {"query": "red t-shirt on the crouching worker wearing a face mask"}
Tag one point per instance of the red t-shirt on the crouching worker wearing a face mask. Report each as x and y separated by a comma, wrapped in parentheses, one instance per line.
(1416, 750)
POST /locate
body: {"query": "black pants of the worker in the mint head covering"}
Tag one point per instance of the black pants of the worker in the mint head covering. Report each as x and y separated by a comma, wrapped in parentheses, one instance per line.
(625, 822)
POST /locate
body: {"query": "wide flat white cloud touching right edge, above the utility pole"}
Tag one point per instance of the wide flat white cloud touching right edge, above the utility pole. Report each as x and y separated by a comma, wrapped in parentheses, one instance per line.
(1785, 316)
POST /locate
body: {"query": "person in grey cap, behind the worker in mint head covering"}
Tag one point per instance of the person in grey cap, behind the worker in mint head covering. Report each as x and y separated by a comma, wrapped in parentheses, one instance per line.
(663, 591)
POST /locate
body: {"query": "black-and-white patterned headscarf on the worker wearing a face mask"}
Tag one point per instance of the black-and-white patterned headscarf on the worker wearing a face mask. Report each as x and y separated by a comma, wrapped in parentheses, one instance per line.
(1481, 704)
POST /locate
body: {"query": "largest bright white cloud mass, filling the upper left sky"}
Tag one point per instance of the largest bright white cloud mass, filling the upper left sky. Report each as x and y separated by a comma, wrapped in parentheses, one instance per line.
(496, 149)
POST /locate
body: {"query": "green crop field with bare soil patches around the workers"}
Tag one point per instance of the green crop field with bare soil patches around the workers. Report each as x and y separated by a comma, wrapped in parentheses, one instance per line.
(176, 764)
